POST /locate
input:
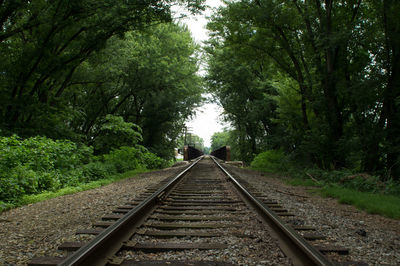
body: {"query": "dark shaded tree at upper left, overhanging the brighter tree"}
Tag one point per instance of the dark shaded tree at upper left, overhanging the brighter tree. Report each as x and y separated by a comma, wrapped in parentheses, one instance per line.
(44, 42)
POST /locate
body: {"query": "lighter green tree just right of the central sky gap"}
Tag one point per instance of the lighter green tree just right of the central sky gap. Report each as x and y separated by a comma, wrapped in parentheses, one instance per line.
(238, 80)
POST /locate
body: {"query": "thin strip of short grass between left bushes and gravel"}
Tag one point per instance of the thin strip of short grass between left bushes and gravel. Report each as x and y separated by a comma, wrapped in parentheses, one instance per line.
(29, 199)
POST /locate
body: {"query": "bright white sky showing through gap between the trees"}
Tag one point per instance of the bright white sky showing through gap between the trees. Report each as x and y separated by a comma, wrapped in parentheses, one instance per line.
(206, 122)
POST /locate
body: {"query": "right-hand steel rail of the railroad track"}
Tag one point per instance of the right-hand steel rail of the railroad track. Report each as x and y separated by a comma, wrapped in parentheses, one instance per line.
(301, 252)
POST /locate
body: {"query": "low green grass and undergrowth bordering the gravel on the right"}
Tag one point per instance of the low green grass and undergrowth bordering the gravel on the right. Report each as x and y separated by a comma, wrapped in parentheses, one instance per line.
(366, 192)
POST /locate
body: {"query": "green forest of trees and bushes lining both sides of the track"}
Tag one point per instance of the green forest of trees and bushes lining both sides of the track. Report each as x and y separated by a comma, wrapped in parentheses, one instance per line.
(91, 89)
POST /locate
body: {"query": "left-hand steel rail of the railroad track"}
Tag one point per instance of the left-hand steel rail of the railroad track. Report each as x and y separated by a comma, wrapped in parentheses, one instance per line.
(97, 250)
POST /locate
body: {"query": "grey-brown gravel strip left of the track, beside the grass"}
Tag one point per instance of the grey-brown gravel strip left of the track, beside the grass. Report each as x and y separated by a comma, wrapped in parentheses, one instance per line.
(37, 230)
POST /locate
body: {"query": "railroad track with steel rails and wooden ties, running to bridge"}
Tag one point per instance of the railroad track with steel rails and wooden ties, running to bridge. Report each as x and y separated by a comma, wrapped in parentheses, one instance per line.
(203, 210)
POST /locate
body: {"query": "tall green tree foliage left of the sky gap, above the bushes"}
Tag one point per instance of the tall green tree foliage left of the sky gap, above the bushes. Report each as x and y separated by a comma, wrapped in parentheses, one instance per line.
(79, 70)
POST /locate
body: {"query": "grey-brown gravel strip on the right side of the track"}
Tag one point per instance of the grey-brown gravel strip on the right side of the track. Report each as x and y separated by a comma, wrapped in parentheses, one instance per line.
(370, 238)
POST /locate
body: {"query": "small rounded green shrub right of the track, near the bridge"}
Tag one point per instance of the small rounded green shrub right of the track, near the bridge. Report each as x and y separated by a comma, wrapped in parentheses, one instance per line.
(271, 161)
